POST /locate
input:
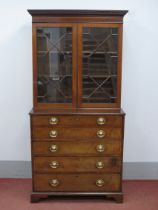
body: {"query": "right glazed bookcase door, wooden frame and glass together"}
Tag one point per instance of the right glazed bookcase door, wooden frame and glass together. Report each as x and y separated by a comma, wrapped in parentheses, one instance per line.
(99, 66)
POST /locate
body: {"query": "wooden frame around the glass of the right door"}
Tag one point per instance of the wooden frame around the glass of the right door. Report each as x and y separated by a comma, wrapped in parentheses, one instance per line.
(119, 66)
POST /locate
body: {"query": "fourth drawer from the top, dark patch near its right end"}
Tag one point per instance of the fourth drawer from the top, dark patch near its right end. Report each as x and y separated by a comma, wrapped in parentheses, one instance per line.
(76, 164)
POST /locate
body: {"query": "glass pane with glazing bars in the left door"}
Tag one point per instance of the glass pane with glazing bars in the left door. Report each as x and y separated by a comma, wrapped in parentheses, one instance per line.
(54, 65)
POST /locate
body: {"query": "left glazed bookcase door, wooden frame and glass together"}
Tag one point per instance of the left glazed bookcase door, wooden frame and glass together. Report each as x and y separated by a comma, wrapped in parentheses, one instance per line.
(54, 65)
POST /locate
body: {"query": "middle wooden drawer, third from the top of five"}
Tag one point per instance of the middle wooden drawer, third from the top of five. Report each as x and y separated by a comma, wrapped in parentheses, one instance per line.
(73, 148)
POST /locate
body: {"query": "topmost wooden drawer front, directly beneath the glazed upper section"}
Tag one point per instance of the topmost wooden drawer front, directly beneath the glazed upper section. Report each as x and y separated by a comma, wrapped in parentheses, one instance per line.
(76, 120)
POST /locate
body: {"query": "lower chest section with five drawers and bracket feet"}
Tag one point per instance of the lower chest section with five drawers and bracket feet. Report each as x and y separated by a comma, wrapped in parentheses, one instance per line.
(77, 155)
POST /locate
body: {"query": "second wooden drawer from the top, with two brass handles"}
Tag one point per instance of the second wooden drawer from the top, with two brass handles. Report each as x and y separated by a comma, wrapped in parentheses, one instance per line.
(76, 133)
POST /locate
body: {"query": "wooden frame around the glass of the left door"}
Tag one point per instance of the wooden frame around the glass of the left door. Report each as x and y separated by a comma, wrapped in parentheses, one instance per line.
(42, 106)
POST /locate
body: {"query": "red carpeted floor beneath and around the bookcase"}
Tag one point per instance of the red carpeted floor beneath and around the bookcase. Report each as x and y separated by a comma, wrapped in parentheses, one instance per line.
(139, 195)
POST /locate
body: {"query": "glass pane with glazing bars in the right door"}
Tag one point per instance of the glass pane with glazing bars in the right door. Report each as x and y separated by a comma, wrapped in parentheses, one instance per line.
(100, 54)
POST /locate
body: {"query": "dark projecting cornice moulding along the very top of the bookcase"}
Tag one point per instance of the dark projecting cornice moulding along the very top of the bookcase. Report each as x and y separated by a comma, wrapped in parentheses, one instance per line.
(44, 12)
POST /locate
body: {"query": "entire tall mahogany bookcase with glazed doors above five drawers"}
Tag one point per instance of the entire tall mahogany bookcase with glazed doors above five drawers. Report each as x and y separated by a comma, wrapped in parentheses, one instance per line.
(77, 125)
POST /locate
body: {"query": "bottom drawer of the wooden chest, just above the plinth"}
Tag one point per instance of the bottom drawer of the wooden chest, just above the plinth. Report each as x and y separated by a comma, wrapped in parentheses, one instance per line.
(77, 183)
